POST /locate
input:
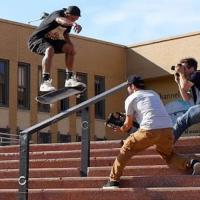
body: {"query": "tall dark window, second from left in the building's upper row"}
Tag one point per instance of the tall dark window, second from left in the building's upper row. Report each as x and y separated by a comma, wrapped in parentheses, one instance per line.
(23, 86)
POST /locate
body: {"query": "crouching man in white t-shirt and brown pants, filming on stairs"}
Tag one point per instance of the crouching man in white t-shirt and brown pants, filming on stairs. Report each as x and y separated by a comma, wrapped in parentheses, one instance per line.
(155, 129)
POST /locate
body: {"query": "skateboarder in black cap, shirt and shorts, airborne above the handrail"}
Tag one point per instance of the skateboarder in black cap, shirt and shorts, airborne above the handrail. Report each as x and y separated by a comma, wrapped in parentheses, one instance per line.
(52, 37)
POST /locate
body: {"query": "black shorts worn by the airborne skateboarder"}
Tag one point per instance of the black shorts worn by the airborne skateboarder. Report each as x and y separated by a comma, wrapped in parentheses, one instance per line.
(39, 45)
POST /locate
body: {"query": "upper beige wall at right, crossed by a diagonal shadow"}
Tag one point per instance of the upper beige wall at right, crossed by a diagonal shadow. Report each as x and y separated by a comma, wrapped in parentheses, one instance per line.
(154, 59)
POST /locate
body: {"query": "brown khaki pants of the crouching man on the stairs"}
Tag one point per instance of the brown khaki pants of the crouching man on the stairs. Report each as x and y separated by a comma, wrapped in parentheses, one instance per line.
(142, 139)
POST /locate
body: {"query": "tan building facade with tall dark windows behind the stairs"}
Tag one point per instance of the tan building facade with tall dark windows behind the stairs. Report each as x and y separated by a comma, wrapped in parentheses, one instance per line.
(101, 65)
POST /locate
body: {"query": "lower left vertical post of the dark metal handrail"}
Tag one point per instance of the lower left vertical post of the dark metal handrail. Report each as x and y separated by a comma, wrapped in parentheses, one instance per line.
(24, 167)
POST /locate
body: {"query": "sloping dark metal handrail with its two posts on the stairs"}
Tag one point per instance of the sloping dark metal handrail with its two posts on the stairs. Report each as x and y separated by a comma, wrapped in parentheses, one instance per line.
(85, 151)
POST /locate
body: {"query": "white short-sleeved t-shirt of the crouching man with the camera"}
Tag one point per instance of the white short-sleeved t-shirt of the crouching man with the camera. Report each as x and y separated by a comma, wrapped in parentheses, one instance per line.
(148, 109)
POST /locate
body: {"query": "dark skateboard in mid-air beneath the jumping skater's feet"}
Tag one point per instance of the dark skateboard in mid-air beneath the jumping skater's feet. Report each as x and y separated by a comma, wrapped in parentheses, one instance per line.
(54, 96)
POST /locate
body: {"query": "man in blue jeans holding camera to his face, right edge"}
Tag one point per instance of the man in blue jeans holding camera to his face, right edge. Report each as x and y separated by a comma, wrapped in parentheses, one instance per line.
(188, 79)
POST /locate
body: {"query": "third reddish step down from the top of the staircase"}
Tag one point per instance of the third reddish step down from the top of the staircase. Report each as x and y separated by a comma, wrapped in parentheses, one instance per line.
(76, 162)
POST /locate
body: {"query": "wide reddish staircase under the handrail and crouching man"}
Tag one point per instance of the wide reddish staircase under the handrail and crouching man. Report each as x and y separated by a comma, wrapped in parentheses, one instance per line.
(54, 173)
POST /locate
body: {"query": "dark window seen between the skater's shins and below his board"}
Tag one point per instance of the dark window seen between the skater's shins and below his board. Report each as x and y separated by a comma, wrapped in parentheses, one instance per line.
(64, 104)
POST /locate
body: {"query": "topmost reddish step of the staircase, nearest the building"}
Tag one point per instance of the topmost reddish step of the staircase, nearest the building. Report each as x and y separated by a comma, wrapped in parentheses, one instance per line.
(184, 141)
